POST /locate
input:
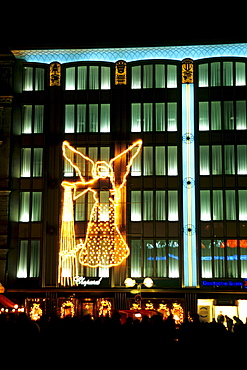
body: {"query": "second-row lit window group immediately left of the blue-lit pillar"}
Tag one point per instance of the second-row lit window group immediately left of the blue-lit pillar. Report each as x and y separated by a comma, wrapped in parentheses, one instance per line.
(146, 117)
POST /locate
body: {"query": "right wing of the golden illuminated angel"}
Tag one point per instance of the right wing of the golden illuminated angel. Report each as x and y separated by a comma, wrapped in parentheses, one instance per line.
(125, 160)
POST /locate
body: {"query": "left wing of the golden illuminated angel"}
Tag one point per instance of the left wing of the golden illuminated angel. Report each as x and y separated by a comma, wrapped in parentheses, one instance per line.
(77, 160)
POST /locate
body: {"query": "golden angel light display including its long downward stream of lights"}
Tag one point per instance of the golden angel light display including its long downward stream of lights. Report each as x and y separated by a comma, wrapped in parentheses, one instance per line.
(104, 245)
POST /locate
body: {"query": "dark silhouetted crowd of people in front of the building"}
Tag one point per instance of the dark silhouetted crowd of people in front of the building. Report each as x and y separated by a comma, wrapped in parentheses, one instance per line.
(110, 336)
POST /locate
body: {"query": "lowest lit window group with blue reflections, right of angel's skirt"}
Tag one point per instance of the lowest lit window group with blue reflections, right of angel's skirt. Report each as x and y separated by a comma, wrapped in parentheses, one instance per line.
(154, 258)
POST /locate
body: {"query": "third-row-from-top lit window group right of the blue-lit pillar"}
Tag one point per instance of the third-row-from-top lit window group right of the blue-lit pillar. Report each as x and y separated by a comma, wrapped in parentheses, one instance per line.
(223, 159)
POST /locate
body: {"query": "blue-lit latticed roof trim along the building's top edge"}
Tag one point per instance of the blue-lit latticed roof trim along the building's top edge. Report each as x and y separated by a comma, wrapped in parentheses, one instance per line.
(132, 53)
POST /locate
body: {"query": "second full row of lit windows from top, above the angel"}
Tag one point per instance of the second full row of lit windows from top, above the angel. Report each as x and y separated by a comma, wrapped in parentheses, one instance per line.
(145, 117)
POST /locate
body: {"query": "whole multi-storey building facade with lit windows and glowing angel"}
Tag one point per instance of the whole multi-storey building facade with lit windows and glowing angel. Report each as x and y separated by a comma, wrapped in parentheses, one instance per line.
(125, 163)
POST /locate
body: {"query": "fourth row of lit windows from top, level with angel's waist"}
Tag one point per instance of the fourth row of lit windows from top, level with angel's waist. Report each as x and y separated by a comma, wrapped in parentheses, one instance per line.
(151, 205)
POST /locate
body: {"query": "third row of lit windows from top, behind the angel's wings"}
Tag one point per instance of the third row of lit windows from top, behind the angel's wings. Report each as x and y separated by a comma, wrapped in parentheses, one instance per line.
(158, 160)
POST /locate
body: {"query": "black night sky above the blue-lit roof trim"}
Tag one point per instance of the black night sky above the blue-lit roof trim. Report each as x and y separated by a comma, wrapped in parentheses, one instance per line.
(99, 25)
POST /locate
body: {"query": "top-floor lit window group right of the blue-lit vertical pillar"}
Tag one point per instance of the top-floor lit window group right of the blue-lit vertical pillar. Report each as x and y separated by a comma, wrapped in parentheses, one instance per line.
(226, 73)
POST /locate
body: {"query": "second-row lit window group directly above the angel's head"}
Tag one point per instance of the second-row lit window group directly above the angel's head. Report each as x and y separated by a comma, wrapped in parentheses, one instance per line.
(87, 118)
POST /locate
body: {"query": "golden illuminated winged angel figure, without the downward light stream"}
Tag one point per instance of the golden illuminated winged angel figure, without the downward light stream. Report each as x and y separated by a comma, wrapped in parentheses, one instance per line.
(104, 245)
